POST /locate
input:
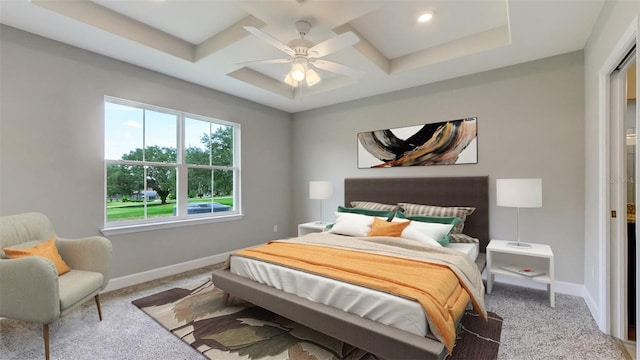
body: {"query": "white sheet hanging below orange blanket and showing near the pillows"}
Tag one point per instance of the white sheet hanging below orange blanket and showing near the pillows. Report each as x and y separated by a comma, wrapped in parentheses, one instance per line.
(401, 313)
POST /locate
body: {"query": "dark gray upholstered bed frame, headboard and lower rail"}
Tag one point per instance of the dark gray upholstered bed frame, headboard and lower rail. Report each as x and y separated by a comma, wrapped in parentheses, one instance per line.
(369, 335)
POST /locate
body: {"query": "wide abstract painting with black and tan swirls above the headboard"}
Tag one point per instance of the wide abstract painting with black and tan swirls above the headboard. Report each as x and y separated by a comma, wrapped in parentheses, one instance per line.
(443, 143)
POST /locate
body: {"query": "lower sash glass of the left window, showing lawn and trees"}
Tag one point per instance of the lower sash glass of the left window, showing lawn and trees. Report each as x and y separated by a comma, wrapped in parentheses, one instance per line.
(127, 198)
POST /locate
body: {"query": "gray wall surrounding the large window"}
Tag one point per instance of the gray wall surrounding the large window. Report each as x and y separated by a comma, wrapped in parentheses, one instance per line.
(51, 150)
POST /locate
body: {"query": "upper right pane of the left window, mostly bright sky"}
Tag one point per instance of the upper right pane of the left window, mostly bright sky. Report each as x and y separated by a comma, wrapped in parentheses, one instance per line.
(160, 136)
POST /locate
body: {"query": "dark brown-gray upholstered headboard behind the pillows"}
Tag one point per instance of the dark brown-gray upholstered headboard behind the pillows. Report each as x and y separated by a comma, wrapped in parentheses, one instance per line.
(441, 191)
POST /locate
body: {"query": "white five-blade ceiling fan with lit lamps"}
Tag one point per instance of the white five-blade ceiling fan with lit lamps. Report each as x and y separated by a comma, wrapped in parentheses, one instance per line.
(305, 55)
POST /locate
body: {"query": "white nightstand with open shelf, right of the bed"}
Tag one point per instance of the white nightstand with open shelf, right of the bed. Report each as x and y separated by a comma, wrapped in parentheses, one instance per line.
(538, 257)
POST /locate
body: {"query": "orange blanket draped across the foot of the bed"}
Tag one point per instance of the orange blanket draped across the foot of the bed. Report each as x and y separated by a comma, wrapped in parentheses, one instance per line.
(434, 286)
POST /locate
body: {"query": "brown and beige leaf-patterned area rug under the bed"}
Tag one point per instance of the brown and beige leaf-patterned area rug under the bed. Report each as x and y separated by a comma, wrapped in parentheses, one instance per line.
(239, 330)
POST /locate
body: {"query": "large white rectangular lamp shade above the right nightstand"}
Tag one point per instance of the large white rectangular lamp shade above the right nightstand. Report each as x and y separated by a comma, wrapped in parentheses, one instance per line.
(520, 193)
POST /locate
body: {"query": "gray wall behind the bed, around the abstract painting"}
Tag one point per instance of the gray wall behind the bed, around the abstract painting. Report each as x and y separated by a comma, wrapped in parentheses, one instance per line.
(530, 124)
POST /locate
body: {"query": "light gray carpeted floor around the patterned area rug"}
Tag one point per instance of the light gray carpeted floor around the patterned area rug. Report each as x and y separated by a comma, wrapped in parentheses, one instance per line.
(531, 329)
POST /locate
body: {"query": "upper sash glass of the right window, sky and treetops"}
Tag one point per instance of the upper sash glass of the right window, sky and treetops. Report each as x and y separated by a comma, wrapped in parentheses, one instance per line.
(208, 143)
